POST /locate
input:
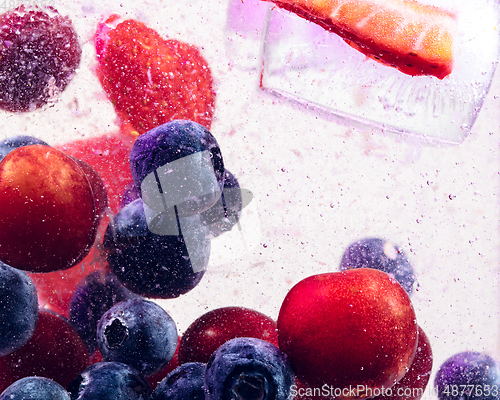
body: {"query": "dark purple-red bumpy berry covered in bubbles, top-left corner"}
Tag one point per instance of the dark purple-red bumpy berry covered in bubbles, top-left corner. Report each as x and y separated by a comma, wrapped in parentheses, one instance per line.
(38, 57)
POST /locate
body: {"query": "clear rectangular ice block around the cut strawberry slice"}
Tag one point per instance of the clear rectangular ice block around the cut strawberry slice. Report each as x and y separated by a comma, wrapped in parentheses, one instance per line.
(303, 62)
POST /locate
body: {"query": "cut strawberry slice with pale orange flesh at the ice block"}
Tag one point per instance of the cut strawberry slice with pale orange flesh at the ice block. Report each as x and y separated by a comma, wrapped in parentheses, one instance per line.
(415, 38)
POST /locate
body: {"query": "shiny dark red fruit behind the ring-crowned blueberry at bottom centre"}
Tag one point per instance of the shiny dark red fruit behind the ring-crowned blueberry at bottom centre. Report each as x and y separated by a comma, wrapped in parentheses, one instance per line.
(213, 329)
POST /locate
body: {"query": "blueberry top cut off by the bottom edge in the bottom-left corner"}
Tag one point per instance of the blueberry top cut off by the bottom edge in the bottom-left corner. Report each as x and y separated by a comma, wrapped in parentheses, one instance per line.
(35, 388)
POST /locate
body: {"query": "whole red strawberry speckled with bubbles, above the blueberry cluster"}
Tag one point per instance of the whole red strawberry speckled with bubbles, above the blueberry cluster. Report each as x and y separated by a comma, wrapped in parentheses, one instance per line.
(151, 80)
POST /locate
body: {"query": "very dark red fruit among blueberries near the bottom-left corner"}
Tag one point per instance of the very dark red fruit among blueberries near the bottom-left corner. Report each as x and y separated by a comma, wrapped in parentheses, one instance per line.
(55, 351)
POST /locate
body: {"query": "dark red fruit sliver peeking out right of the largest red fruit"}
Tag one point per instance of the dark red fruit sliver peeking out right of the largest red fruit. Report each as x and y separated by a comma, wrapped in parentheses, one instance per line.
(413, 384)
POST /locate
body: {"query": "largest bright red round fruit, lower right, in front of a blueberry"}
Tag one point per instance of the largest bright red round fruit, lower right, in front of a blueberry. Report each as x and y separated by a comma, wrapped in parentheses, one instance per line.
(348, 328)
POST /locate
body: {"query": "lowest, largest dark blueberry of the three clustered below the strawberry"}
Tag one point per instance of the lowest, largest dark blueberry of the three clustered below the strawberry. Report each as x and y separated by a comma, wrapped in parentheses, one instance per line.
(153, 265)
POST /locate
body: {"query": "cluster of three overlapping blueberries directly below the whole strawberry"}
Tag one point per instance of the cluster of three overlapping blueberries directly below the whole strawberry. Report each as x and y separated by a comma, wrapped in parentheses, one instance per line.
(159, 243)
